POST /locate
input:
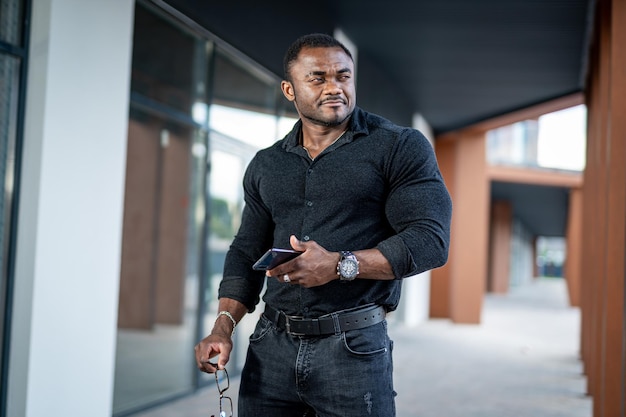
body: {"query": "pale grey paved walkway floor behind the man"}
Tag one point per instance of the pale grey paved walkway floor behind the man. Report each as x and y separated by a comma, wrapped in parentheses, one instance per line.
(522, 361)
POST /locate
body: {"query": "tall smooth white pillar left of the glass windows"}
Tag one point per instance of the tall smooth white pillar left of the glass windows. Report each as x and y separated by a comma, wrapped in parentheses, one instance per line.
(71, 202)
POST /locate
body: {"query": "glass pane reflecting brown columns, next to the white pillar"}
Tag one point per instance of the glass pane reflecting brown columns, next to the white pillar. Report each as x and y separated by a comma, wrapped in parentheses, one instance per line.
(164, 217)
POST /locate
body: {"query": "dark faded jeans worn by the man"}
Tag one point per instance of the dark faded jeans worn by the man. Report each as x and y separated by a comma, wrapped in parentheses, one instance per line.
(343, 375)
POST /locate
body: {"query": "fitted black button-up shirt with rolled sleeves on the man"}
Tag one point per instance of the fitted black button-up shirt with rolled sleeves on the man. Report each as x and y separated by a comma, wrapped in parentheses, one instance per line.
(378, 186)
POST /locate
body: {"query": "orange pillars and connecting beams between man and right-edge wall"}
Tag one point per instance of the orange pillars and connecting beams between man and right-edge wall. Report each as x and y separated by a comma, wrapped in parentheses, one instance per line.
(457, 289)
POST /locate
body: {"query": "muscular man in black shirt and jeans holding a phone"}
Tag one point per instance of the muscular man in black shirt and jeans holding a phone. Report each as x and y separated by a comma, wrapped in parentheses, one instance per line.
(364, 200)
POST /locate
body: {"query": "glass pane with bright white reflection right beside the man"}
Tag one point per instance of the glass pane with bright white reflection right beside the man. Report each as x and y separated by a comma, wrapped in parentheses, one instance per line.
(242, 119)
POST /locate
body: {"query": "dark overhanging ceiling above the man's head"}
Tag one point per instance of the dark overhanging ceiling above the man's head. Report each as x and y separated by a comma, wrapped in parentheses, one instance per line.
(456, 62)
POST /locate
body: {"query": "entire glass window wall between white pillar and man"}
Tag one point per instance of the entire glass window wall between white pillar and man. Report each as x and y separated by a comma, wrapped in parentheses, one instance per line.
(179, 216)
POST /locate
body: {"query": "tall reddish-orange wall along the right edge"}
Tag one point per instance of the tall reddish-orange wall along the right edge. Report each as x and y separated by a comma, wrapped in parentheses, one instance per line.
(604, 214)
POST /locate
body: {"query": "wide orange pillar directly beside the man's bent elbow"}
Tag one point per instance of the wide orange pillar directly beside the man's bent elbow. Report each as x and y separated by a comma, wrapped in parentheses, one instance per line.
(457, 290)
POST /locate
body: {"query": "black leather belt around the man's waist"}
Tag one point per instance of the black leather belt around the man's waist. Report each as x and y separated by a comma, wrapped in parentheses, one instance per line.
(331, 324)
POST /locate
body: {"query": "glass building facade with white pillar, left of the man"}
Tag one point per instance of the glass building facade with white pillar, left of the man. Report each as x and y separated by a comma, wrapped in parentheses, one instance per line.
(132, 152)
